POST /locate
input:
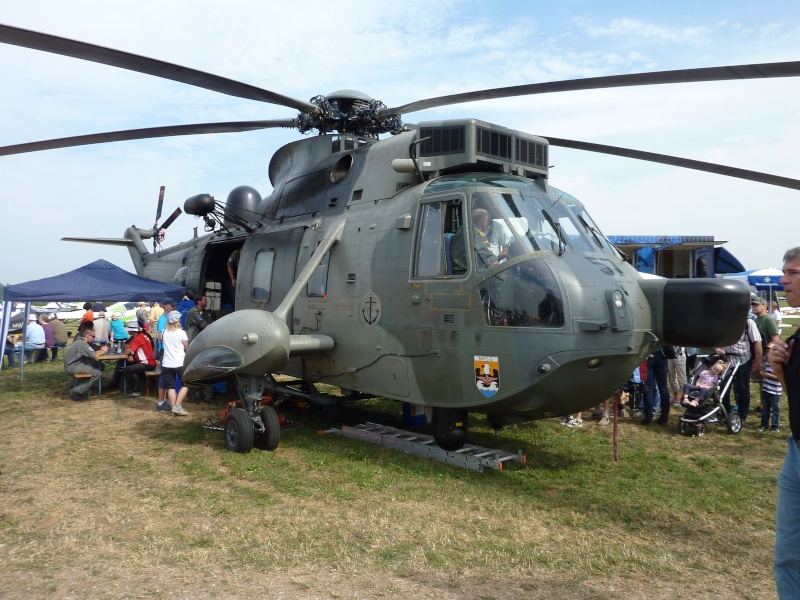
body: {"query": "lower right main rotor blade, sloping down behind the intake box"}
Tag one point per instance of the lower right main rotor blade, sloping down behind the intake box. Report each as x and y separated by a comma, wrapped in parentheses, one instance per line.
(677, 161)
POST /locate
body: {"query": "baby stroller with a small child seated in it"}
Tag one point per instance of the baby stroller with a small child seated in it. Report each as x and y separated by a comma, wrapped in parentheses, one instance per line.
(710, 409)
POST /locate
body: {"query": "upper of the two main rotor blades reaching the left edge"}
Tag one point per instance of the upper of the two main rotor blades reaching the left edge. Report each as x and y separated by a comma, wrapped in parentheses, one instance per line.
(133, 62)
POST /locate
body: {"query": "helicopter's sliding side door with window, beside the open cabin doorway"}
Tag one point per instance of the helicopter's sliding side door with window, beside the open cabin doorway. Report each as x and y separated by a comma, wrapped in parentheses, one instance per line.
(267, 269)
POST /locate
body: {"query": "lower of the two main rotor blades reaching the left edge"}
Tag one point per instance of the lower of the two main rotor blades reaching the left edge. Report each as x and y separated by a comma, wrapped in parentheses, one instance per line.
(141, 134)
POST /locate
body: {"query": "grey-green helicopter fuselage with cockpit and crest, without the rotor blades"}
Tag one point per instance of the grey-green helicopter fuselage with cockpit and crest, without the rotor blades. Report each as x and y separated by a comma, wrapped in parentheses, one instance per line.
(543, 317)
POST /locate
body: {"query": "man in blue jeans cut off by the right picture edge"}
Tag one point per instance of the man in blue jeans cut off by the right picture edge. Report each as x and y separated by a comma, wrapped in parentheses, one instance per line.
(784, 357)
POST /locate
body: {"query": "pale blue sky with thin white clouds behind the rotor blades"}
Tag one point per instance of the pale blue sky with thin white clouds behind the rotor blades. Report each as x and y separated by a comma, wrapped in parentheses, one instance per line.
(398, 52)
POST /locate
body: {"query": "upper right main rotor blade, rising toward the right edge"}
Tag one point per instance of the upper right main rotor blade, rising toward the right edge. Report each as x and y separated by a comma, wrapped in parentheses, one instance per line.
(758, 71)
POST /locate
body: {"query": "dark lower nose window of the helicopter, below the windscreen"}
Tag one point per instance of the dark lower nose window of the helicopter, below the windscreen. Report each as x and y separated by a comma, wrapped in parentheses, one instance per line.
(526, 295)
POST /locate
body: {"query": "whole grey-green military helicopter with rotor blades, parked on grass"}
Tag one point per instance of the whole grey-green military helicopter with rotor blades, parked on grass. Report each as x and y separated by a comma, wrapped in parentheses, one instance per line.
(430, 263)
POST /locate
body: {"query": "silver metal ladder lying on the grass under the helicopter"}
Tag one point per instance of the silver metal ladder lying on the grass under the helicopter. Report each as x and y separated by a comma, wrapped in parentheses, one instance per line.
(470, 456)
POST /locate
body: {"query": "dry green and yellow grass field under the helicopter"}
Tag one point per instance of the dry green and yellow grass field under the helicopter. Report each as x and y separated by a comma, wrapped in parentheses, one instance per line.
(109, 499)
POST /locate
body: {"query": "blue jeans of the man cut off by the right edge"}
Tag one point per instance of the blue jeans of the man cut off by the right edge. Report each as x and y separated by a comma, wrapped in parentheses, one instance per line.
(787, 526)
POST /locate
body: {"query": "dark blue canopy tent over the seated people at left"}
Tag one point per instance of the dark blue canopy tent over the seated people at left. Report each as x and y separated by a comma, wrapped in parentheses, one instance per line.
(99, 281)
